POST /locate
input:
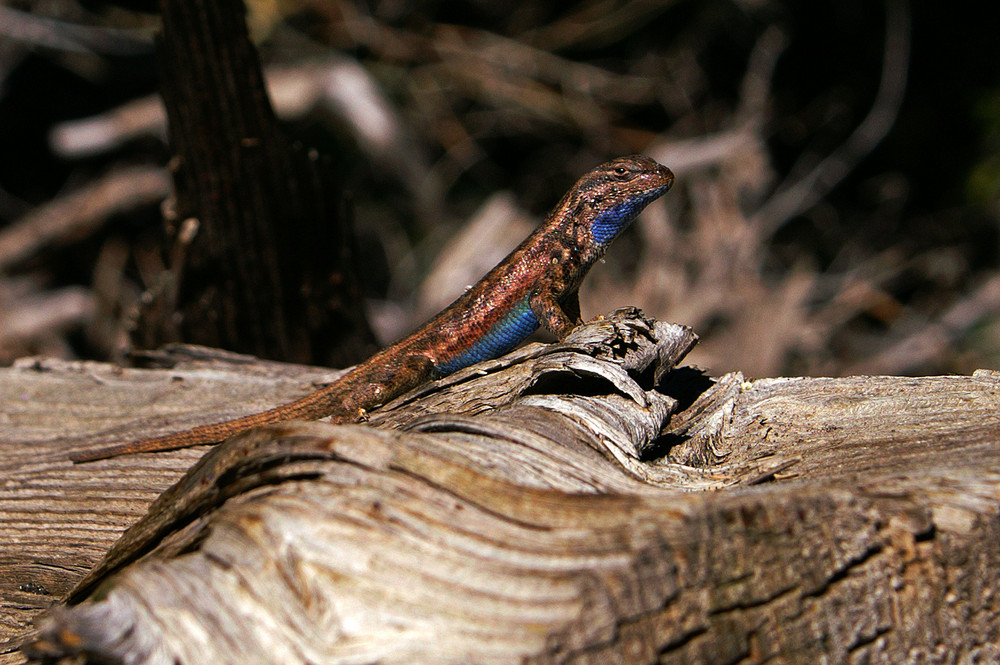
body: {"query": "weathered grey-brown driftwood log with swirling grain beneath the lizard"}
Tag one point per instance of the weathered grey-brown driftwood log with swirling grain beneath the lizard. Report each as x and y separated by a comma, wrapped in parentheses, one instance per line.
(542, 508)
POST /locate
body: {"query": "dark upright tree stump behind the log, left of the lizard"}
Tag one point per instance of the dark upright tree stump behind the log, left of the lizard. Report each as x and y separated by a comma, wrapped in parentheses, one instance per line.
(262, 257)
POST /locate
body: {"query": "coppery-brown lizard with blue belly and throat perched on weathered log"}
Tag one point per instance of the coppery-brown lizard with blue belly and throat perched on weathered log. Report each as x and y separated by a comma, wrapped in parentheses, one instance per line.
(535, 285)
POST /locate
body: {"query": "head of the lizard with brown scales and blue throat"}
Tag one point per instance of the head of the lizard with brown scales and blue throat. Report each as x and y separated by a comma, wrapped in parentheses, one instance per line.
(610, 196)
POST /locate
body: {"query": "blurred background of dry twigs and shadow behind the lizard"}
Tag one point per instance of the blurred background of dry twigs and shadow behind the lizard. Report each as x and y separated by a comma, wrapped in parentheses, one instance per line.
(837, 201)
